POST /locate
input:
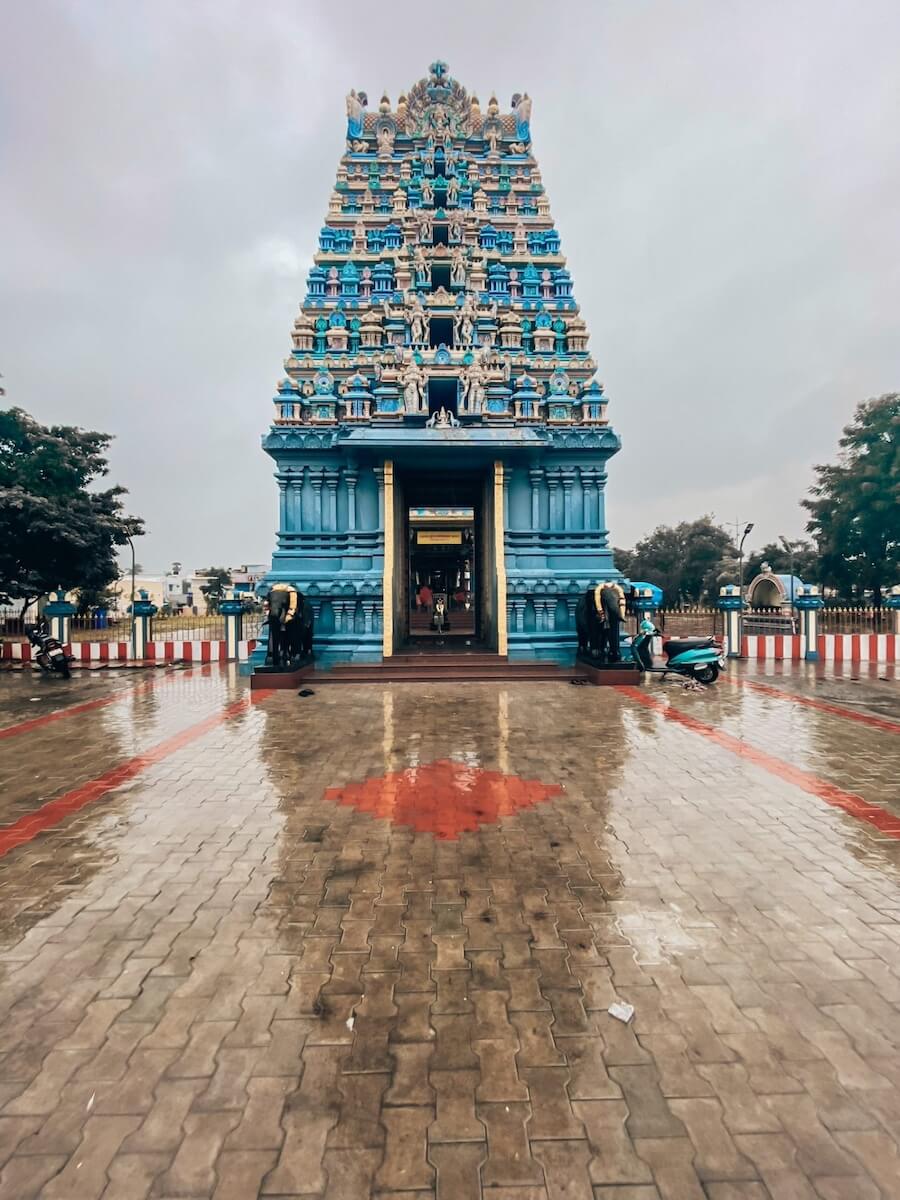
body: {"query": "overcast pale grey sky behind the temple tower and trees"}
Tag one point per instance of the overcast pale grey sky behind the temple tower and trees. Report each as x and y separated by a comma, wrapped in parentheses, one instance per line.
(724, 175)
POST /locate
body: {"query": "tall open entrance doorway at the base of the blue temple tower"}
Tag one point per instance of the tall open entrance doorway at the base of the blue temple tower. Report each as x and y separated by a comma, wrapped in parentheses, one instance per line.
(445, 568)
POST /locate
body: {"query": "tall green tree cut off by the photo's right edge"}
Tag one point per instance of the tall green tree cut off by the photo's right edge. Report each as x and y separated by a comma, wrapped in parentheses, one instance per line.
(855, 503)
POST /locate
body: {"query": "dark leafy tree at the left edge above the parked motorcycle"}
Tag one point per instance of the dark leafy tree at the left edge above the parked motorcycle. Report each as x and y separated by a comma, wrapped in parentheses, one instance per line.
(57, 531)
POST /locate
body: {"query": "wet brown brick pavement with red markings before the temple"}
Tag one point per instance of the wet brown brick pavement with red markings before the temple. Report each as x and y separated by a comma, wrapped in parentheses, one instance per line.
(364, 944)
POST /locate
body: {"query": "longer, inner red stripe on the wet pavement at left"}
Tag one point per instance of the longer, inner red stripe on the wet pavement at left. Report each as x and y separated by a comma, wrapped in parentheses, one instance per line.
(50, 815)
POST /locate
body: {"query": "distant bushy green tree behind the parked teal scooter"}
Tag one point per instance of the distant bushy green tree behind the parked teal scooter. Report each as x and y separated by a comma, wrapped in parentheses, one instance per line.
(686, 560)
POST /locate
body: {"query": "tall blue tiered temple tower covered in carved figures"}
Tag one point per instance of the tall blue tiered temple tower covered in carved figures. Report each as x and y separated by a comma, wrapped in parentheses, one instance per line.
(440, 421)
